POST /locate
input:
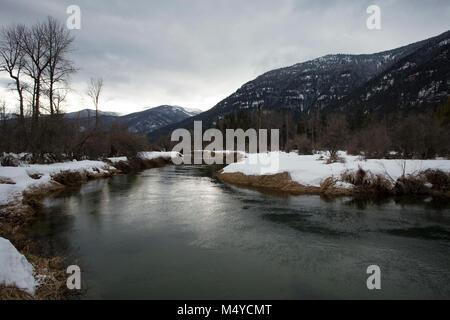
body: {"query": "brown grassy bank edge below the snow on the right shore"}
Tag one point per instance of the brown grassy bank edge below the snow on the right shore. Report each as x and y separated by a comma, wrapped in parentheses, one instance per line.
(282, 182)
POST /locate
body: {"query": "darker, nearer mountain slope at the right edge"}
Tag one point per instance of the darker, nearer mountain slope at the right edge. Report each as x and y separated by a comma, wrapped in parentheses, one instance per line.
(418, 80)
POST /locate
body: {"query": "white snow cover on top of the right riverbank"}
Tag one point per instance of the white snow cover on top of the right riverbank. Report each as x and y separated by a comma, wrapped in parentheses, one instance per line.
(310, 170)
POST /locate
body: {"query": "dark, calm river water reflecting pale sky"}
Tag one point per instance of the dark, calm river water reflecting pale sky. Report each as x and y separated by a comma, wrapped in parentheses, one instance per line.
(178, 233)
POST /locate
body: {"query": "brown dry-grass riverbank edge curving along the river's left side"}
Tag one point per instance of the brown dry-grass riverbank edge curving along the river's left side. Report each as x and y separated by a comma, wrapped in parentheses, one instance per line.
(17, 215)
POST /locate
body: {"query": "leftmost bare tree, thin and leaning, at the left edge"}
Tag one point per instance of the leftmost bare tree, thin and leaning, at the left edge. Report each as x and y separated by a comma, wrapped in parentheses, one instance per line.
(13, 60)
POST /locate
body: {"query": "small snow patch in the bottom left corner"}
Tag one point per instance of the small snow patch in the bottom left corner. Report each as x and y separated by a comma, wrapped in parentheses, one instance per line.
(15, 270)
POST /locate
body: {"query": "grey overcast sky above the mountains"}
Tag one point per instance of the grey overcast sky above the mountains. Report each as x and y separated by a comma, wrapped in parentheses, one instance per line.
(195, 53)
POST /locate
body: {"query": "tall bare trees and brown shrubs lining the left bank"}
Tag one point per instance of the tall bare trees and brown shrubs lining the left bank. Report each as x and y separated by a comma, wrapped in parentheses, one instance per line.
(37, 61)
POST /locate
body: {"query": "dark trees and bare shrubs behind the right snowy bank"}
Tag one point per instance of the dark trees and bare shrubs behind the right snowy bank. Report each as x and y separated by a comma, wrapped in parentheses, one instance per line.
(421, 135)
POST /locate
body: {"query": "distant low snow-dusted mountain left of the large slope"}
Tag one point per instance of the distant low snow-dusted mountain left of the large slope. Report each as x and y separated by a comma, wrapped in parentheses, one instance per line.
(142, 122)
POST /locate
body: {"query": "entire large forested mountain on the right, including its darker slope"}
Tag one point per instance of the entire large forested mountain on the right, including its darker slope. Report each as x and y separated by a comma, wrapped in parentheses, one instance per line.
(416, 74)
